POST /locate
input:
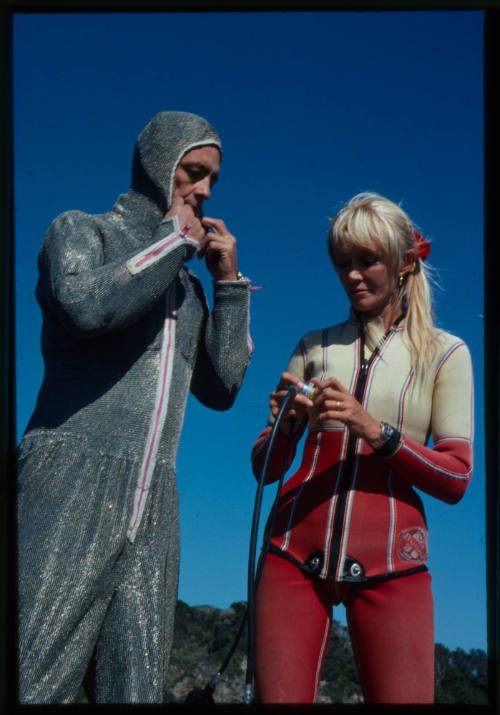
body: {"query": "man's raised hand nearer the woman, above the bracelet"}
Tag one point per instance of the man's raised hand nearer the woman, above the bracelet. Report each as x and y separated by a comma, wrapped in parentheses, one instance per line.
(219, 249)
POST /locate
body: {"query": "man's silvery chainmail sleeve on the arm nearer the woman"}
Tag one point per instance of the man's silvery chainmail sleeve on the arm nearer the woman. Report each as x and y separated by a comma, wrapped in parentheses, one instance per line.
(226, 347)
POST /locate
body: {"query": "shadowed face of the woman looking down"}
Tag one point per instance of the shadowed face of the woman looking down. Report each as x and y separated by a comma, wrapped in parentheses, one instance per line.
(369, 280)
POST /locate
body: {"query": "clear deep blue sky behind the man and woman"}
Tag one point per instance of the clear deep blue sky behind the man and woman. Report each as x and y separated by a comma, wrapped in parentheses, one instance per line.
(312, 108)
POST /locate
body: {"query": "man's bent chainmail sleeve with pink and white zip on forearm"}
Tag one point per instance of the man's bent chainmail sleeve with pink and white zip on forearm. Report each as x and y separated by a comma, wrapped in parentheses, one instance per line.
(92, 294)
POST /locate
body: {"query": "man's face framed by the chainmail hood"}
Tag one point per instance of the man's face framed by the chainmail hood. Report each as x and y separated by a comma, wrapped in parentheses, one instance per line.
(195, 175)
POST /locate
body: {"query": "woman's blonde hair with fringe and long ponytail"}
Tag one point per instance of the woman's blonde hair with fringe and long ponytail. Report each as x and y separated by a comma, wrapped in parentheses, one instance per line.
(369, 218)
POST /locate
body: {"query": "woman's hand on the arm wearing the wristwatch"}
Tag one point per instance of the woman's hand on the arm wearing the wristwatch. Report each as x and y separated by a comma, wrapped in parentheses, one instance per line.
(334, 402)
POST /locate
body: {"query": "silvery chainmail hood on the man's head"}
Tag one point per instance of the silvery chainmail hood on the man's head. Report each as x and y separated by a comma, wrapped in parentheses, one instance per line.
(159, 148)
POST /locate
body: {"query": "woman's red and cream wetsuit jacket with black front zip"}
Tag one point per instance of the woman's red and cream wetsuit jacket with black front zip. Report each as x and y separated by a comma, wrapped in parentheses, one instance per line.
(349, 515)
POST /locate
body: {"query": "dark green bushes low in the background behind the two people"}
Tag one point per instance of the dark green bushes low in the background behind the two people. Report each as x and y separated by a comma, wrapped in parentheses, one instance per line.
(204, 635)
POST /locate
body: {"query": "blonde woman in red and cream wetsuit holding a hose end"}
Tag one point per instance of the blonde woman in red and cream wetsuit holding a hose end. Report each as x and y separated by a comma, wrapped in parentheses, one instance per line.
(350, 527)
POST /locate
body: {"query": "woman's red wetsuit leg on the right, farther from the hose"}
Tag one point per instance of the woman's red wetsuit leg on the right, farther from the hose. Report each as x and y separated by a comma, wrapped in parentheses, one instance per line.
(392, 635)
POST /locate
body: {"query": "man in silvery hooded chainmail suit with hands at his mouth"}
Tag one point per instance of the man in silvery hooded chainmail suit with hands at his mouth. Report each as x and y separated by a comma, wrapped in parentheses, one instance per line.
(126, 334)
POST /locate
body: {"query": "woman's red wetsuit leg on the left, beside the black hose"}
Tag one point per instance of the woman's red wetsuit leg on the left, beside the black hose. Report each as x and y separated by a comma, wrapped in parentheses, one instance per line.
(293, 620)
